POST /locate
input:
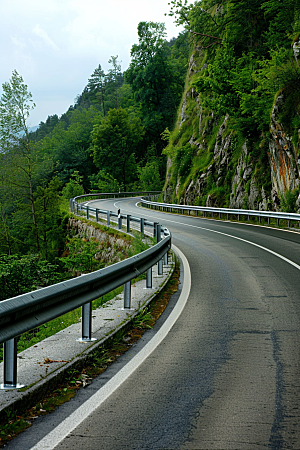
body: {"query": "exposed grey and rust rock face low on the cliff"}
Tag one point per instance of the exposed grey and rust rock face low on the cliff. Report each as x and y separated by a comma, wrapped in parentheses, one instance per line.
(254, 184)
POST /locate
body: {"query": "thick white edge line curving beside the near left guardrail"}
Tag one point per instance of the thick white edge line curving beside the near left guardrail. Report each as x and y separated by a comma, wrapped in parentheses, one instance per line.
(52, 439)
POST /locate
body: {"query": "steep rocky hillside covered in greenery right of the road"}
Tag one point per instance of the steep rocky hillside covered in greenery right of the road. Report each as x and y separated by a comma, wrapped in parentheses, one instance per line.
(236, 139)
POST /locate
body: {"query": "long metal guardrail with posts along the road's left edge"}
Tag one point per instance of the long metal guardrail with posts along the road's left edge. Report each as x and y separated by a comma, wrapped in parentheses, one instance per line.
(30, 310)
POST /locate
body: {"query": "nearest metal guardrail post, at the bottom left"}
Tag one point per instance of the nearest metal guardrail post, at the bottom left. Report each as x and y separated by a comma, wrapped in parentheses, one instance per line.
(10, 365)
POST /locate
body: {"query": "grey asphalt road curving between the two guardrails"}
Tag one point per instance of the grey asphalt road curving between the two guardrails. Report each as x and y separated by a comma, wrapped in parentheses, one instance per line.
(226, 376)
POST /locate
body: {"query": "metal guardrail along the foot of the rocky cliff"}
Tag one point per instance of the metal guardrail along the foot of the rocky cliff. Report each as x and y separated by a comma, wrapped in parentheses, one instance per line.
(172, 207)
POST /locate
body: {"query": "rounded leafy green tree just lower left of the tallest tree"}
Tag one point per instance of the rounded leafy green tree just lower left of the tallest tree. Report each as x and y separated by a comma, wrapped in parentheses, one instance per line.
(115, 141)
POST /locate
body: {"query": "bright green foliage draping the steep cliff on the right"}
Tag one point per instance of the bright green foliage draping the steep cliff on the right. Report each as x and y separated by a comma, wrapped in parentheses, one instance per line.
(242, 60)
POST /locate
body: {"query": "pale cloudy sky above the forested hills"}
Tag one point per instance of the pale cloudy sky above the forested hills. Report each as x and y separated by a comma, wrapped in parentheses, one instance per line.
(57, 44)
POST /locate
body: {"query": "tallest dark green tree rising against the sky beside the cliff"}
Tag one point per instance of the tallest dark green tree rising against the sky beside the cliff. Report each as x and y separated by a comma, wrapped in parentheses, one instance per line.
(155, 80)
